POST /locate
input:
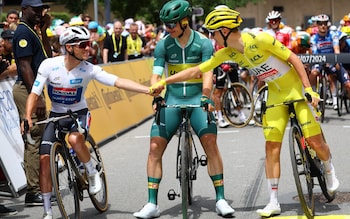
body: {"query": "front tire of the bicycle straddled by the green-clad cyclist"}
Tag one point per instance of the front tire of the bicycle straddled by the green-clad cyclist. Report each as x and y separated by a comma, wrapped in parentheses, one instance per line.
(185, 173)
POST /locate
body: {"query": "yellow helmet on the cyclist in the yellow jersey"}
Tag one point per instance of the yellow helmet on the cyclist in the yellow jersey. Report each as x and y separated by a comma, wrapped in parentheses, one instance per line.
(222, 17)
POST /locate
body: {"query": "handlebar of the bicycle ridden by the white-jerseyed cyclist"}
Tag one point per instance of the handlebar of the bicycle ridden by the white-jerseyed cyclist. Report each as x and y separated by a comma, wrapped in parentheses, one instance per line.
(70, 114)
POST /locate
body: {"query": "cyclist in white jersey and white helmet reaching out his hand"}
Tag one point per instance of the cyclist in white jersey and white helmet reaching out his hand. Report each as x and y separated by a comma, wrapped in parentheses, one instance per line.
(66, 78)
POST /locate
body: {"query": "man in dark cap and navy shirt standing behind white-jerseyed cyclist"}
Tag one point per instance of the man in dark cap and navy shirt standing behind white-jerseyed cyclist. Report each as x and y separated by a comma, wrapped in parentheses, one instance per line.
(29, 51)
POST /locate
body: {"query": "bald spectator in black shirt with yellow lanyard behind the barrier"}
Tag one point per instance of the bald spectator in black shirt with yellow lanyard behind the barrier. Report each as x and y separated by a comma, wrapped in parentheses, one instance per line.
(114, 48)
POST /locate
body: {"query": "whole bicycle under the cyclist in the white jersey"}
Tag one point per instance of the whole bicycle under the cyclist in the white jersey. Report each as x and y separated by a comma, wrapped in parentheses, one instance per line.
(69, 178)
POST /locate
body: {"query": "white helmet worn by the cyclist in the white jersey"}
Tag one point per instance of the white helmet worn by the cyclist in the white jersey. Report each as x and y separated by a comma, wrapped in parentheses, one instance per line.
(74, 33)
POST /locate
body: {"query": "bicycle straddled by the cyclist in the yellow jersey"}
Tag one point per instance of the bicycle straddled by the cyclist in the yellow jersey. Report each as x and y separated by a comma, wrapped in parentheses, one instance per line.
(305, 163)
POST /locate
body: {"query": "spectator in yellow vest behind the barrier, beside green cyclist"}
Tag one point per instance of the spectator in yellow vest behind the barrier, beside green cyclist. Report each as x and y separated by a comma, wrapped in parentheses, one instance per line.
(135, 43)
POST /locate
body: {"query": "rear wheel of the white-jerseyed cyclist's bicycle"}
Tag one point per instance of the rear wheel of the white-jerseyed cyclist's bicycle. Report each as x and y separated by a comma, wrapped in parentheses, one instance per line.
(100, 199)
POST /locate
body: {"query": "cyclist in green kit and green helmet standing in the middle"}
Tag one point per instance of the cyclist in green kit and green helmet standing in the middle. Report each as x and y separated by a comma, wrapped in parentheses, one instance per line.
(179, 50)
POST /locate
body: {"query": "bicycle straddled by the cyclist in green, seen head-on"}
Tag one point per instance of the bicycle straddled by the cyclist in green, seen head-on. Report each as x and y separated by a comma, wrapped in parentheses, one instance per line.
(187, 158)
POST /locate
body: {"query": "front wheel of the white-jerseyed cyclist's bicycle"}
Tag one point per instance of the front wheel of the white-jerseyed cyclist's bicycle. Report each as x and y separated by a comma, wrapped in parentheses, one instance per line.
(64, 182)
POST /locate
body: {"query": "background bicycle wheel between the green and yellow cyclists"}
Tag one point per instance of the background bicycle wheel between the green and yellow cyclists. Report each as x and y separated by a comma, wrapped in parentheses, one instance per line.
(238, 105)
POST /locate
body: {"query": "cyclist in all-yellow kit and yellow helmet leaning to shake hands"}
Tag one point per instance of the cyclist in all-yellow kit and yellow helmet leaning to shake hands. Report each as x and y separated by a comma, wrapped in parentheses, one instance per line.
(285, 75)
